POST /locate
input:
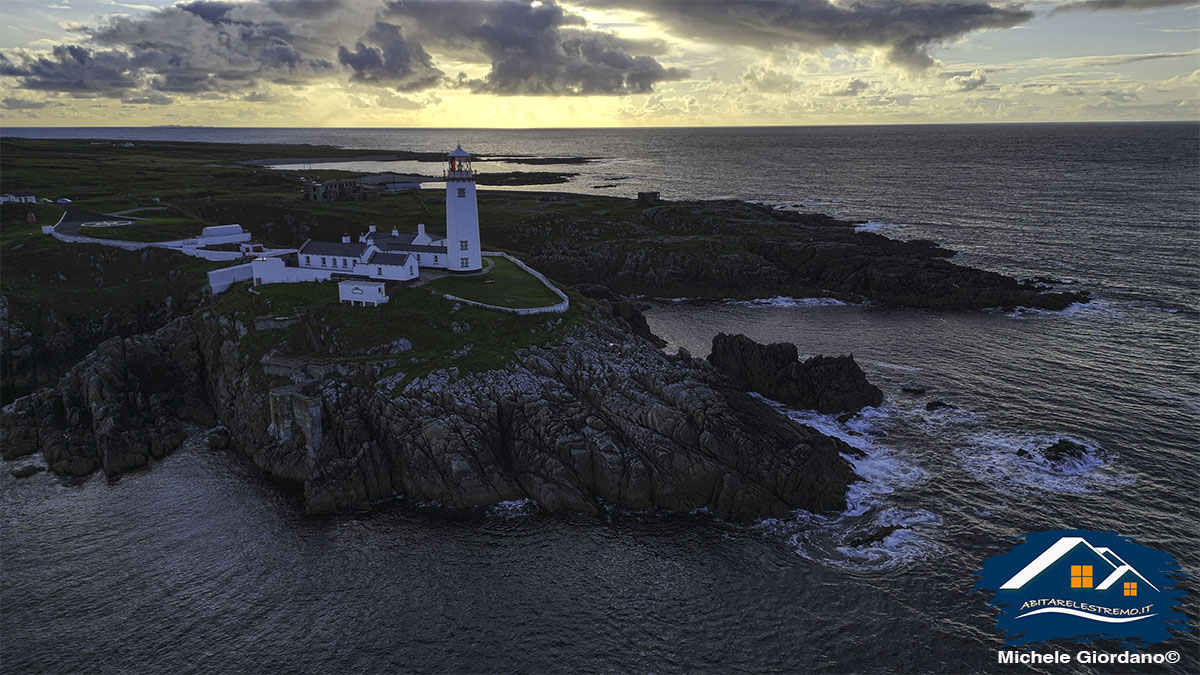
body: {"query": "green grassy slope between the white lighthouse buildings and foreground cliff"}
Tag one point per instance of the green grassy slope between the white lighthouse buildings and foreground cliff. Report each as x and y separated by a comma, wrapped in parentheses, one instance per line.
(332, 330)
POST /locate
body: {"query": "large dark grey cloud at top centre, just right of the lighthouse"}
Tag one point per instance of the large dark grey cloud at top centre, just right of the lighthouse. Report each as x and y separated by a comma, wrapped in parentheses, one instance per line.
(536, 50)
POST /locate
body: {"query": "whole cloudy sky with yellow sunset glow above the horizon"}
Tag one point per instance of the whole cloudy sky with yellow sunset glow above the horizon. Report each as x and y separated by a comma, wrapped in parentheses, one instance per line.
(595, 63)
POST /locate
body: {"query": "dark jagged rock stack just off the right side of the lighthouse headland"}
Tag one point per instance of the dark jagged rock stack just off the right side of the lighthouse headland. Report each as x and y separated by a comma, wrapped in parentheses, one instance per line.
(827, 385)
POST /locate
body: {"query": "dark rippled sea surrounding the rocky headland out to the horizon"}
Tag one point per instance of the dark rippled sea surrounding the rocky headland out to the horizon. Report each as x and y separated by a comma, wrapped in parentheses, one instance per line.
(201, 563)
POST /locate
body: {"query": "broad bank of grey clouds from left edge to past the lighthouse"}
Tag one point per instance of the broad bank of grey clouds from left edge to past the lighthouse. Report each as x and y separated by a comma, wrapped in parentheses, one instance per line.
(203, 49)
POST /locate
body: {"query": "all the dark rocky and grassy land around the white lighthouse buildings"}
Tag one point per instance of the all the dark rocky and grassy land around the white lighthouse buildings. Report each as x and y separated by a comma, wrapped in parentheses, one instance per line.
(111, 359)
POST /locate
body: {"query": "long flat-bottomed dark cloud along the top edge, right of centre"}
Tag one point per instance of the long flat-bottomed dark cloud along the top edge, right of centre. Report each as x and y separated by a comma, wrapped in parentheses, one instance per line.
(908, 29)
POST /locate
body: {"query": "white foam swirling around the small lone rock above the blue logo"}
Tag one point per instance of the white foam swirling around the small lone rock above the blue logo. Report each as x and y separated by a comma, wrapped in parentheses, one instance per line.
(992, 458)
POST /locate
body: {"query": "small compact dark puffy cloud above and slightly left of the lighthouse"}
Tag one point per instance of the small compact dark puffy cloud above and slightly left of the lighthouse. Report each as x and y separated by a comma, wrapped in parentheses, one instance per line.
(391, 59)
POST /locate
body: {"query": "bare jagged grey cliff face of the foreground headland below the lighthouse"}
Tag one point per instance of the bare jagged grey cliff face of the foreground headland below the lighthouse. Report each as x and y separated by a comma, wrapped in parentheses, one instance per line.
(601, 419)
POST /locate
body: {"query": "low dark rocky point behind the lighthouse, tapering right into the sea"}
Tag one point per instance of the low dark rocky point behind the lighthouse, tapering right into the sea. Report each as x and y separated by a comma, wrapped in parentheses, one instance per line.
(735, 250)
